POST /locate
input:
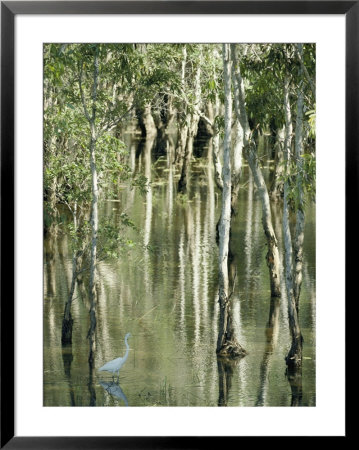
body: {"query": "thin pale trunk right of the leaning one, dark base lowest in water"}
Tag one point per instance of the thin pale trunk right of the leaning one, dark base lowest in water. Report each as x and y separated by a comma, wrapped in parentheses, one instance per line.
(294, 357)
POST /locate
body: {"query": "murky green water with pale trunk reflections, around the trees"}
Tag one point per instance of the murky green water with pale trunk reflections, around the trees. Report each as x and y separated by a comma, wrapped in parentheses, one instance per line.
(166, 297)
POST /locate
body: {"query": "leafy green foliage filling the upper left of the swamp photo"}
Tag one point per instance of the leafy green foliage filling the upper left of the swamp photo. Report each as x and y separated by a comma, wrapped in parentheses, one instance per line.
(126, 79)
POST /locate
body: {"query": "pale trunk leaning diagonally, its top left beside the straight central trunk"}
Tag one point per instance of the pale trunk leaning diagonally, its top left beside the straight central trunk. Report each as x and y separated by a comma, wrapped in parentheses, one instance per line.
(272, 257)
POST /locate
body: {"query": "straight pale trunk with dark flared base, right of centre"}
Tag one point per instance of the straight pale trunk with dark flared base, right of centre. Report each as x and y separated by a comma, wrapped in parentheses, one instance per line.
(226, 344)
